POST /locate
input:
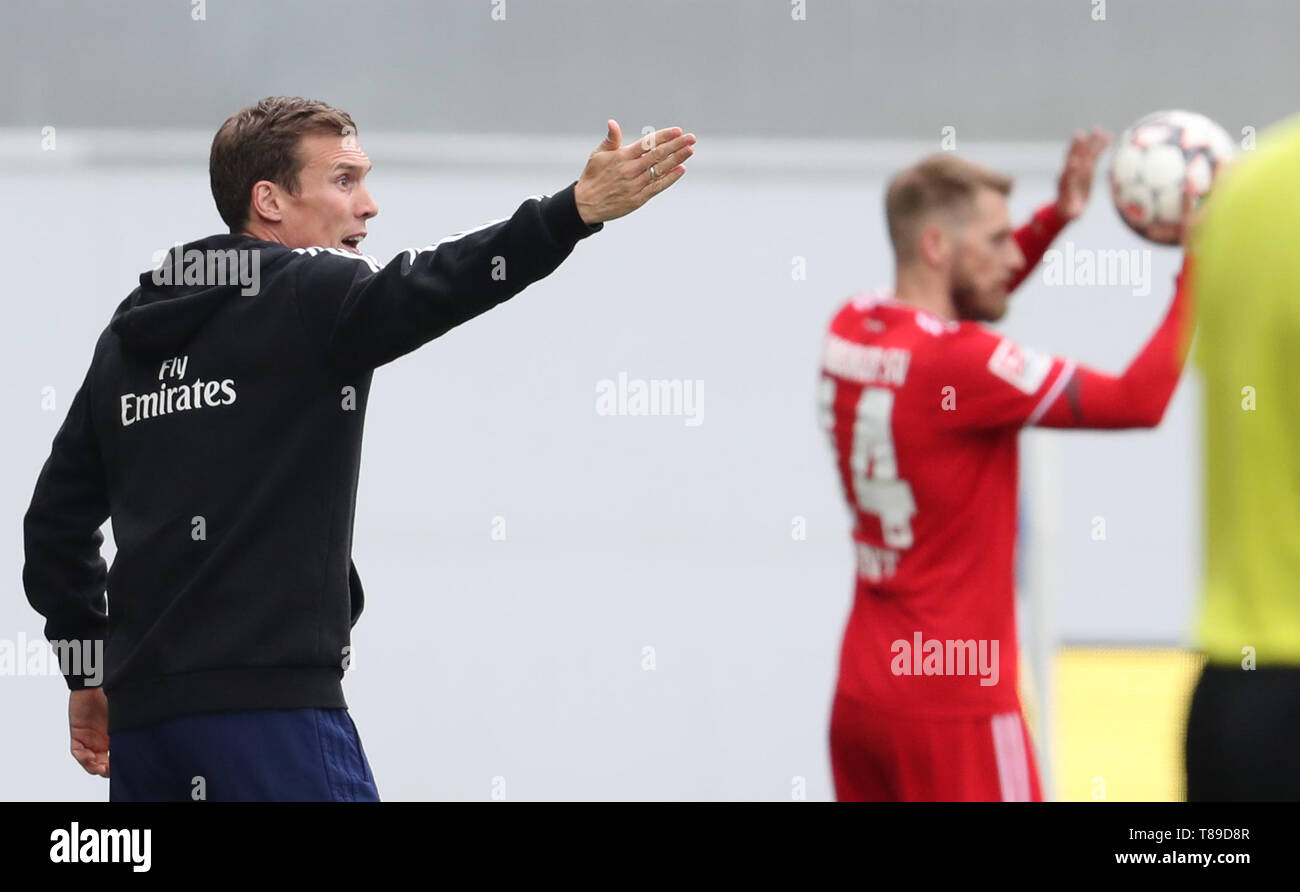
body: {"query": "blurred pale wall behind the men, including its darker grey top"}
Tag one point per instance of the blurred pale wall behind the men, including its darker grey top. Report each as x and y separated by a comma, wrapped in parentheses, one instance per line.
(523, 659)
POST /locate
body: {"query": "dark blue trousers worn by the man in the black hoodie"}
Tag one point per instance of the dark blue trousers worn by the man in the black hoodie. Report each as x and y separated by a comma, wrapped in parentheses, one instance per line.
(254, 756)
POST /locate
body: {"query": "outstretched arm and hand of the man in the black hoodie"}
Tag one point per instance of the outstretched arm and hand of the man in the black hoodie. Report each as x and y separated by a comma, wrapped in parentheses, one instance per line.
(367, 315)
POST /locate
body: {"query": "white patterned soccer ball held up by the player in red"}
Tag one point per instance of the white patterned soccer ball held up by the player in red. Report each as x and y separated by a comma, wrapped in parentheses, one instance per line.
(1154, 159)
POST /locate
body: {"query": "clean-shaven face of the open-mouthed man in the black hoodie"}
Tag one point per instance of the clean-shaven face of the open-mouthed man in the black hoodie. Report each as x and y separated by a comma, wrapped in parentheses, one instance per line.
(333, 203)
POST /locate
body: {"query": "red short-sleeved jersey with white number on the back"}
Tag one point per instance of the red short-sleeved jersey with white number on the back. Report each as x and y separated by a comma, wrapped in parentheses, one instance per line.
(925, 415)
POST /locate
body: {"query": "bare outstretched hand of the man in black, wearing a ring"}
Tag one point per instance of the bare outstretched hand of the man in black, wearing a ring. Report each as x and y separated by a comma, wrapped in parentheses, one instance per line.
(618, 179)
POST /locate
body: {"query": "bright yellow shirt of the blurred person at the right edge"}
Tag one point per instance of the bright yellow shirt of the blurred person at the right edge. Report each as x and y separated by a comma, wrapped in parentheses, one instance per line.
(1247, 292)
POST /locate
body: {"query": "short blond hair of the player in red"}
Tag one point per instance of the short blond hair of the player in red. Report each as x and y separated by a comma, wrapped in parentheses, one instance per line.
(941, 183)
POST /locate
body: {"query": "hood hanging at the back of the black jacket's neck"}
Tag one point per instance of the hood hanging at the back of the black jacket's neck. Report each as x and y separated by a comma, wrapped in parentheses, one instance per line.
(192, 284)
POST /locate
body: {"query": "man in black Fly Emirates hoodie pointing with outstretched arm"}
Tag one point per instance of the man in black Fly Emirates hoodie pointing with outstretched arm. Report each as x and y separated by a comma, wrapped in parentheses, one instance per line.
(220, 428)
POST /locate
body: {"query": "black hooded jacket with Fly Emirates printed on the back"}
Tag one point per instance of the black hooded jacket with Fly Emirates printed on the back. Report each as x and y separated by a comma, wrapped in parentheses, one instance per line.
(220, 428)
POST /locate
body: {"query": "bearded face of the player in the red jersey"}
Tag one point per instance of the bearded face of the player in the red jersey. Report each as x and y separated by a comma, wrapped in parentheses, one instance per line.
(986, 259)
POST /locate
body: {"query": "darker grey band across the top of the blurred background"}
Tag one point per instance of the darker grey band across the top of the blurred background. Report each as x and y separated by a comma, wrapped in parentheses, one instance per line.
(1002, 70)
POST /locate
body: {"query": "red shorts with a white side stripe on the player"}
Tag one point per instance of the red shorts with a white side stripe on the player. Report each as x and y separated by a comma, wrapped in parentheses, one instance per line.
(885, 757)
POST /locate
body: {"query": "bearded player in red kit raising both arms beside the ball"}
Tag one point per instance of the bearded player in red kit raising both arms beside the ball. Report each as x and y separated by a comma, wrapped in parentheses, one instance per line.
(925, 406)
